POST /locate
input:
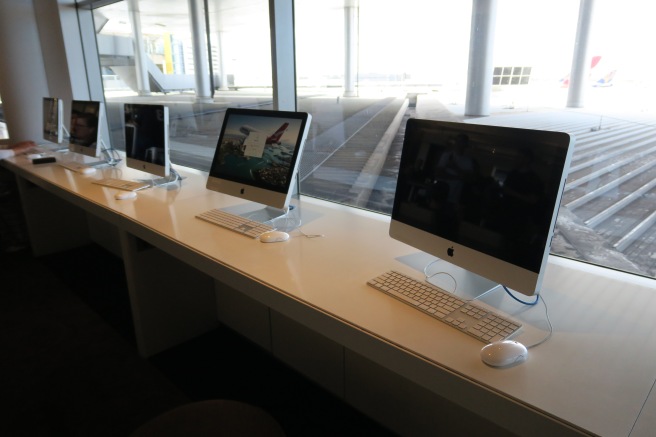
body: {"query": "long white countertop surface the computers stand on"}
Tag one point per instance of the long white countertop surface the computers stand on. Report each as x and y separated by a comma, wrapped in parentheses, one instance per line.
(596, 371)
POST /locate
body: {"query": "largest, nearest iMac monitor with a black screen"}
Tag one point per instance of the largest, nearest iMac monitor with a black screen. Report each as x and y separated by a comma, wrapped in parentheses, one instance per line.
(482, 198)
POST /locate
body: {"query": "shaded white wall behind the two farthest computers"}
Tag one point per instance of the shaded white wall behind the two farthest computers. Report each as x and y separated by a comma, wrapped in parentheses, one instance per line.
(47, 48)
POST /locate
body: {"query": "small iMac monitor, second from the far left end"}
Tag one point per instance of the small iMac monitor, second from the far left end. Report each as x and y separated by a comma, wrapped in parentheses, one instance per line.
(86, 116)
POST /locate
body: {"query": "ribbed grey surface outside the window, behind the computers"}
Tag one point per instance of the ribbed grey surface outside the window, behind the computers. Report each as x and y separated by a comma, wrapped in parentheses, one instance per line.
(354, 145)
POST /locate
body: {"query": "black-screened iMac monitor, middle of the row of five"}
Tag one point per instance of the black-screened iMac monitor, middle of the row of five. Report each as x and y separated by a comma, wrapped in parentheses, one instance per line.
(147, 138)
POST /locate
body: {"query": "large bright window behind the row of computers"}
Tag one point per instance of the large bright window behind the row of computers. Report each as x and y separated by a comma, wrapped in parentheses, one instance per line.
(365, 66)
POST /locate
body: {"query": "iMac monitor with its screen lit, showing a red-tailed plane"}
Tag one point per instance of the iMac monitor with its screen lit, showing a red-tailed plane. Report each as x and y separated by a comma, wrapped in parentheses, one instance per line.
(257, 155)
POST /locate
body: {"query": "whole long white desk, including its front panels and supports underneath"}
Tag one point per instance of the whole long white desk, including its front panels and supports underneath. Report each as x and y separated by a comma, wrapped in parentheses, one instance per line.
(306, 300)
